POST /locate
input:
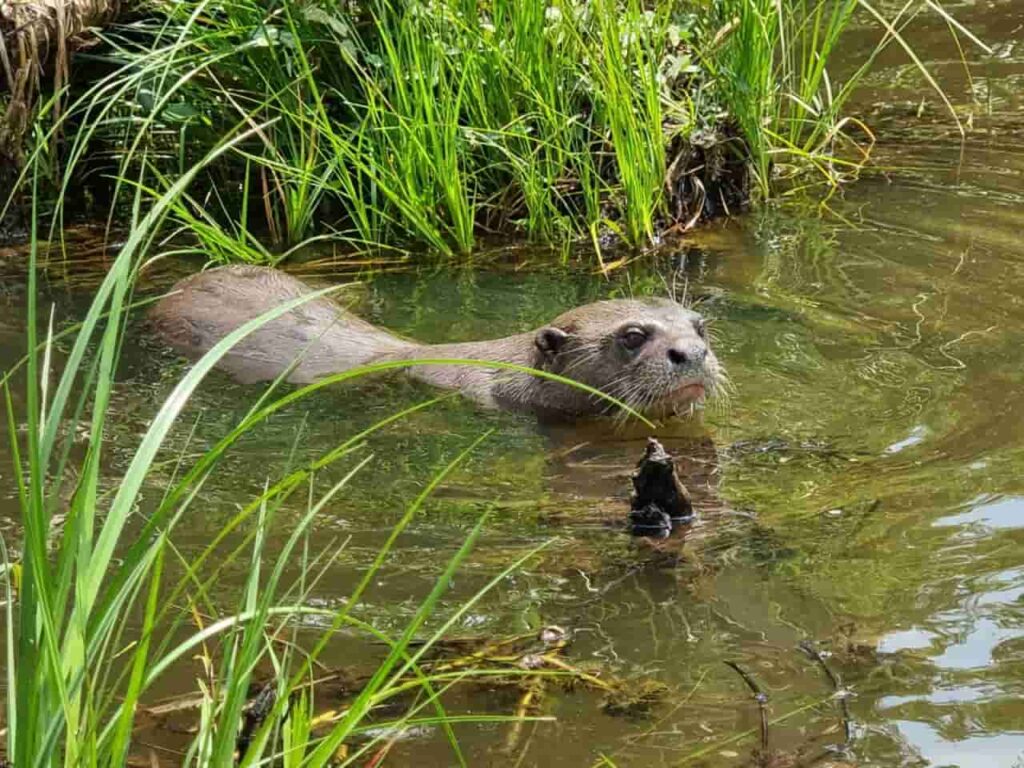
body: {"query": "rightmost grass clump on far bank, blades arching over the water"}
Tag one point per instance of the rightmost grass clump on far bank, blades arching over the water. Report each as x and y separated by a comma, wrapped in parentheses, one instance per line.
(775, 66)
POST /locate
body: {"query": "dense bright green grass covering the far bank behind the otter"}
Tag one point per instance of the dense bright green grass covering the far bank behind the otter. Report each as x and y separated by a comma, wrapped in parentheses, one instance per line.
(408, 122)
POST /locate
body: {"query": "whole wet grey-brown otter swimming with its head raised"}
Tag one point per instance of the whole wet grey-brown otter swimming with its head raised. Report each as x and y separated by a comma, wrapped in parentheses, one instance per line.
(653, 355)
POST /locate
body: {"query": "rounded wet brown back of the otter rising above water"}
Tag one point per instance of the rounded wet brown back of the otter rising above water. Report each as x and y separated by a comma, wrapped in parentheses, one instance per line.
(319, 337)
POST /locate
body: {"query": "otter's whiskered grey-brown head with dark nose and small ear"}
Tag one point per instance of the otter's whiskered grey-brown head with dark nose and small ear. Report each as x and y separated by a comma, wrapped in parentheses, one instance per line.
(654, 355)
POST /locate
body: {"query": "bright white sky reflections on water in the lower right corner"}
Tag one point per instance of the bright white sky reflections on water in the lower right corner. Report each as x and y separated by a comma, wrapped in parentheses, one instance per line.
(970, 649)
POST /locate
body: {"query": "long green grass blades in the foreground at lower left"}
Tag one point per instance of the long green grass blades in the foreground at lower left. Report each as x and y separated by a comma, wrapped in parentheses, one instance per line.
(93, 620)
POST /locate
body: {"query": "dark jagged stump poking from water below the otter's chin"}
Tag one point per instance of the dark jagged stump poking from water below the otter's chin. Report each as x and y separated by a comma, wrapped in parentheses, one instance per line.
(660, 500)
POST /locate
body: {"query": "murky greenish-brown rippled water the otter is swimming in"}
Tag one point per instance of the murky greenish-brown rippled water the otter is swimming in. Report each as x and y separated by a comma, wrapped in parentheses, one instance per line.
(863, 490)
